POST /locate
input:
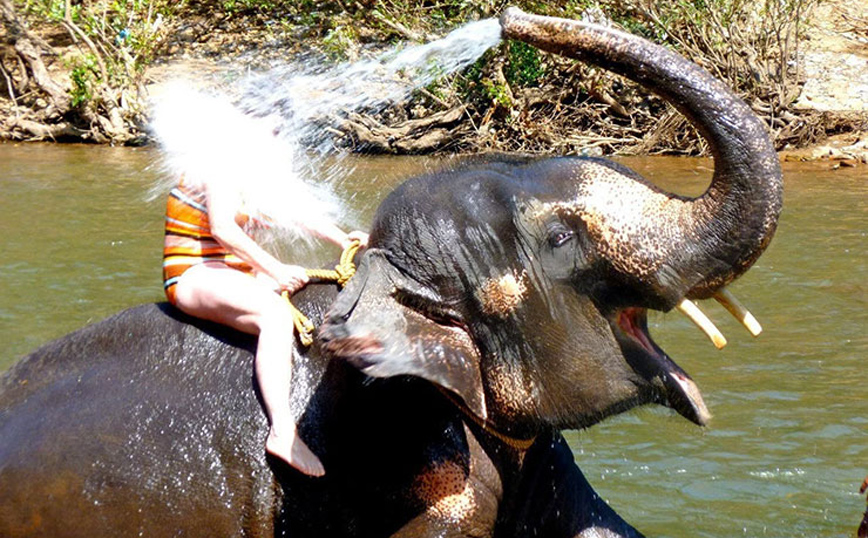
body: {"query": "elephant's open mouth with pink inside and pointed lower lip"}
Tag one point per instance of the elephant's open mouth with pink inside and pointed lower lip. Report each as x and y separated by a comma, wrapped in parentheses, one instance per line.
(672, 385)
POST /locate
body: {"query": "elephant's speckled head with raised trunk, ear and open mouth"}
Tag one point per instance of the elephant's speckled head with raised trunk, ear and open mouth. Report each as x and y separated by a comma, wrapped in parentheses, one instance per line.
(522, 286)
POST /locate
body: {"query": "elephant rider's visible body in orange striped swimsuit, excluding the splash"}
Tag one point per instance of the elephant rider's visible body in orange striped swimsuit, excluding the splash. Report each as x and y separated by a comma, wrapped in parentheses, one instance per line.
(214, 270)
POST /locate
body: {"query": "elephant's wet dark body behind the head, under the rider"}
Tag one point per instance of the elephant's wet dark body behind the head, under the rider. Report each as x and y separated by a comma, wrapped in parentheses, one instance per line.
(148, 424)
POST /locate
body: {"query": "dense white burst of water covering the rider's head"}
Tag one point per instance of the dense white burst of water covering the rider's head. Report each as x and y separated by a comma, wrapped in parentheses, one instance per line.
(210, 142)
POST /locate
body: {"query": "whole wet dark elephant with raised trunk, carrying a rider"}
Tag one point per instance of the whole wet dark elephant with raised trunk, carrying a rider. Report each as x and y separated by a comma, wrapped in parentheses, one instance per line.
(500, 301)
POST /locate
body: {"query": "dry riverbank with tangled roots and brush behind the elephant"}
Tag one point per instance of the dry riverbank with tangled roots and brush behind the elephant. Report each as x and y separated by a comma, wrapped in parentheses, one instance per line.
(565, 109)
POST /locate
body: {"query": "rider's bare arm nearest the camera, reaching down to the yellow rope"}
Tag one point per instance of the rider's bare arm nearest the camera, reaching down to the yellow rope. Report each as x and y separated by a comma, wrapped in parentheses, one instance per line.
(222, 209)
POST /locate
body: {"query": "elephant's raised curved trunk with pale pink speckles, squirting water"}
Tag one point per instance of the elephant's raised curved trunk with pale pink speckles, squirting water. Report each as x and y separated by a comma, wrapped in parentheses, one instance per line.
(677, 246)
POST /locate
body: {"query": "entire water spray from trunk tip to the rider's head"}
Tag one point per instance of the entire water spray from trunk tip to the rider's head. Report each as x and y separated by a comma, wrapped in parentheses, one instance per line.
(263, 135)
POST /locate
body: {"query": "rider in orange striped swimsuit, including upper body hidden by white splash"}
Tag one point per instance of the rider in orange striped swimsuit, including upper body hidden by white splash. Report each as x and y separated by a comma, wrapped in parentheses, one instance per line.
(214, 266)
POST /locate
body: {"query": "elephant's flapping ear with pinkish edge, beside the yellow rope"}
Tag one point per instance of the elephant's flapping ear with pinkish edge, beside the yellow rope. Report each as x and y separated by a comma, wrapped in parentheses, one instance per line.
(371, 325)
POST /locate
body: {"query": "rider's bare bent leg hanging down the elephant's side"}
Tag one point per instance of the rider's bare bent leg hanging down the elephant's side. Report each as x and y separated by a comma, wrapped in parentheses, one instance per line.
(223, 295)
